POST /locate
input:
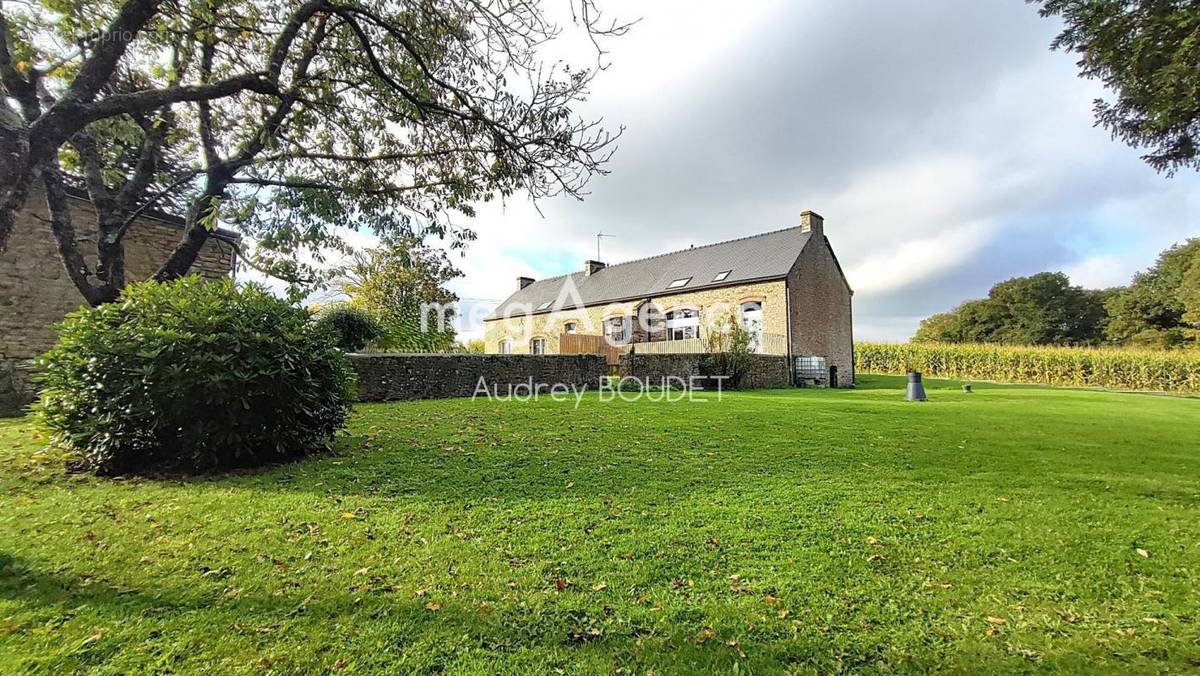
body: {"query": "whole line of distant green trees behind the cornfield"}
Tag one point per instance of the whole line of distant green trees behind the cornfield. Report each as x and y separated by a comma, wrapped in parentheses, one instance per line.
(1161, 309)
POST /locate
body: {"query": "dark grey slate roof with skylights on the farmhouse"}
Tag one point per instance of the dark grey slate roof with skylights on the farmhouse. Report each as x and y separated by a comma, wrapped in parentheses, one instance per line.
(759, 258)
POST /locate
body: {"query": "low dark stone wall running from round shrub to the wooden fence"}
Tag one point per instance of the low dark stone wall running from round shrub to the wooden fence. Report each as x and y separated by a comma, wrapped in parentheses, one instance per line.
(392, 378)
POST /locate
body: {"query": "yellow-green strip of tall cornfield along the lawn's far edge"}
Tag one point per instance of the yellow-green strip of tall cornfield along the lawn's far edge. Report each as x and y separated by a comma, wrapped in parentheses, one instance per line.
(1072, 367)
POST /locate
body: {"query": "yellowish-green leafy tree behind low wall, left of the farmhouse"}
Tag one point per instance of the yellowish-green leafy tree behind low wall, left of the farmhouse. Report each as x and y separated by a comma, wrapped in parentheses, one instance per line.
(403, 285)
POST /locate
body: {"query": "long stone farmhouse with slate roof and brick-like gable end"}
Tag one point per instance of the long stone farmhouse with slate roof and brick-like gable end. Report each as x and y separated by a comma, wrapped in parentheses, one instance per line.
(785, 286)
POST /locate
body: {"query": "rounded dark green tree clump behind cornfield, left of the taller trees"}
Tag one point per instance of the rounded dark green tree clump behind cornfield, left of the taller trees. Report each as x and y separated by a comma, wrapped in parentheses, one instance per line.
(1042, 309)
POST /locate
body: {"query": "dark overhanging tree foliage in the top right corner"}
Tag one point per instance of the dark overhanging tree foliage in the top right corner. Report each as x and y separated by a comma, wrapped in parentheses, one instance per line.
(1148, 53)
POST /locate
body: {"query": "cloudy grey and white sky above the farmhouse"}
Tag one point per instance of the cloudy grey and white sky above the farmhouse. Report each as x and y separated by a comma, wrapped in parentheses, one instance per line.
(945, 145)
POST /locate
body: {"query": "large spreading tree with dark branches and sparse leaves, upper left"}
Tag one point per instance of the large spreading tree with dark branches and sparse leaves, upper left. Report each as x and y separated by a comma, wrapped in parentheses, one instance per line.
(289, 119)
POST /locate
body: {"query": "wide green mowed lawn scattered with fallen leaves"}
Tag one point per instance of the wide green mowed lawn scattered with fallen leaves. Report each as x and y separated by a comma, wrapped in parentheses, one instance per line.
(1010, 530)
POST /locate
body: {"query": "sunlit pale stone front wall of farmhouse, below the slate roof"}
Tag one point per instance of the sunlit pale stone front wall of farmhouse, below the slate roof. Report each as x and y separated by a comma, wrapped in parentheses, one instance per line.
(550, 326)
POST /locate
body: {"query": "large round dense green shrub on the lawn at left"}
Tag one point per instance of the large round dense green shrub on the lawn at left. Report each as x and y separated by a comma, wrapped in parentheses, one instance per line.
(193, 376)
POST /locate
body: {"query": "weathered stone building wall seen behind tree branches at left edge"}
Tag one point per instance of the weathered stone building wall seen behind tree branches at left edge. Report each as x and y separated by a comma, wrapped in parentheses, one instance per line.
(37, 292)
